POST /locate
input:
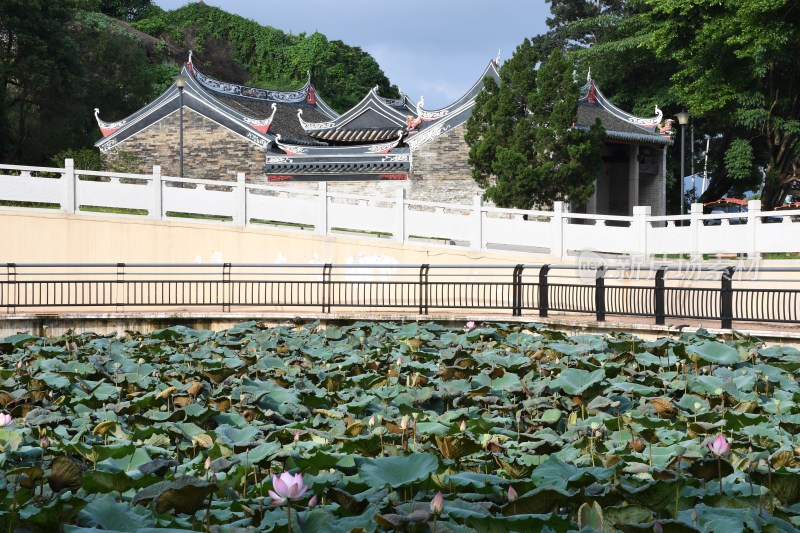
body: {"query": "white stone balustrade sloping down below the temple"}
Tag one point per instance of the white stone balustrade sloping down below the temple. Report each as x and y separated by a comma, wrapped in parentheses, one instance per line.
(556, 233)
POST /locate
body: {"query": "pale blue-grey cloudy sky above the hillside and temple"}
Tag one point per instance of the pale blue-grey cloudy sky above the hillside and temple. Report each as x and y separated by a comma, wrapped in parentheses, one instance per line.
(435, 48)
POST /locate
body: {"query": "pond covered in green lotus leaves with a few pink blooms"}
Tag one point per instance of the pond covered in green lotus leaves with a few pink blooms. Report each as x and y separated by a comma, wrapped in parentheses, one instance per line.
(389, 426)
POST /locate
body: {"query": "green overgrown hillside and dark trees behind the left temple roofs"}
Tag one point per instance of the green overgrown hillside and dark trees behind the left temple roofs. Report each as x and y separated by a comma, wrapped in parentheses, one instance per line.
(60, 60)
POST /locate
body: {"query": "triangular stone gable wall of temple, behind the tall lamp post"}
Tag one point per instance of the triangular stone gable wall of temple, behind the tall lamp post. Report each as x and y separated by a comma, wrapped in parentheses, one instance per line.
(210, 151)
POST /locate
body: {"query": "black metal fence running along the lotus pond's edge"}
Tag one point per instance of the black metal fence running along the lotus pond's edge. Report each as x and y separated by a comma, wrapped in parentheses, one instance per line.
(724, 293)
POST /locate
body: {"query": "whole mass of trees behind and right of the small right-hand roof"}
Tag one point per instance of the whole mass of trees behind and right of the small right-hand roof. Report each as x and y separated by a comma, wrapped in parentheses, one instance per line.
(733, 65)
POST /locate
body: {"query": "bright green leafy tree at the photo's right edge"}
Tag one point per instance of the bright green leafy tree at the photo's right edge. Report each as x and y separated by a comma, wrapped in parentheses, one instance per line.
(739, 62)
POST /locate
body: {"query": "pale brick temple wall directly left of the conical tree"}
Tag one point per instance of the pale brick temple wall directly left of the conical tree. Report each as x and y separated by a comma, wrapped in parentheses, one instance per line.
(440, 171)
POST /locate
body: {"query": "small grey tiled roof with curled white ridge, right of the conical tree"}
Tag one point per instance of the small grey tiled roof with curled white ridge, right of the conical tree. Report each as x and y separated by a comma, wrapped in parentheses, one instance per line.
(619, 124)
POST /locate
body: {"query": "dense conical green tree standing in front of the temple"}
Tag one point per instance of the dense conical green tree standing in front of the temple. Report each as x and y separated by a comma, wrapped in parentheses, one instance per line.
(523, 148)
